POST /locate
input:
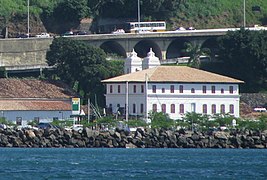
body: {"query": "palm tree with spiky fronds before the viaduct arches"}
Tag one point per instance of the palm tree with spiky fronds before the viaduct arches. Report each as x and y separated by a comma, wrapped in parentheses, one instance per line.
(195, 51)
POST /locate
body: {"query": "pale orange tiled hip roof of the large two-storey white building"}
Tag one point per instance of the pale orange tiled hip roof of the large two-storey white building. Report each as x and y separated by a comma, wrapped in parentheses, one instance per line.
(173, 74)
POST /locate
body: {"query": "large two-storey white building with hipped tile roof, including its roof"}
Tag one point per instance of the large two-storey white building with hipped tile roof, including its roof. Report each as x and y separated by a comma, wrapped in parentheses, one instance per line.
(174, 90)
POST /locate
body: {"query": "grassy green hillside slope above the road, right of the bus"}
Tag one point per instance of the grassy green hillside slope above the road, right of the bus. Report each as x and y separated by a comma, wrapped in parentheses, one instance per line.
(218, 14)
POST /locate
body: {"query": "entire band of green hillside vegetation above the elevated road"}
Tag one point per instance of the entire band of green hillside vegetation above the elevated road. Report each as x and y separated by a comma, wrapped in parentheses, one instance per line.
(61, 15)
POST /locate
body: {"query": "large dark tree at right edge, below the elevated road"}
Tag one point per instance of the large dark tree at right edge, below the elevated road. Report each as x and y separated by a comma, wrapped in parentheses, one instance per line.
(244, 54)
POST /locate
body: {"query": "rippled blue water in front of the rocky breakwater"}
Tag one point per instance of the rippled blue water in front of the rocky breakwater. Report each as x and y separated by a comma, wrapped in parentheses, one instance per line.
(19, 163)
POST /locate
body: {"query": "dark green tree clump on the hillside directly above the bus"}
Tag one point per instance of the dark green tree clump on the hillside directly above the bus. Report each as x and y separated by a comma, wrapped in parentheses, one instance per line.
(150, 9)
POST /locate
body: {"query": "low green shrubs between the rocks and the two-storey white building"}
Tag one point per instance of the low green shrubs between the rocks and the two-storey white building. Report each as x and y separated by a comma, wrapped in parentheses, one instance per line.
(191, 121)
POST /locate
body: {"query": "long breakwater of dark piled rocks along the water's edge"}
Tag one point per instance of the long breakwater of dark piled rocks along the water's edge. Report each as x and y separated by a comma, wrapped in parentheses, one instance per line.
(154, 138)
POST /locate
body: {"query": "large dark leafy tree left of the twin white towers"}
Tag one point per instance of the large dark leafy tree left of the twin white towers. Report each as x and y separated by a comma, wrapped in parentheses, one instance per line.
(77, 63)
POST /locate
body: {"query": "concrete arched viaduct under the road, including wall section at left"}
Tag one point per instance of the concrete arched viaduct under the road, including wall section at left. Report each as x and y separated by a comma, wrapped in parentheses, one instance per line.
(31, 53)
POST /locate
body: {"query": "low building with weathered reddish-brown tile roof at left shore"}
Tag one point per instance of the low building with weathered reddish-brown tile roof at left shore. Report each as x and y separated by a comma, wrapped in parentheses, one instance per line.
(24, 100)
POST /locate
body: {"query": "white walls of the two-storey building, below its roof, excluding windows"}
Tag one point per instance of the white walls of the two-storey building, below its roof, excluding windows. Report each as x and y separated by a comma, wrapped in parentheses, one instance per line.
(187, 98)
